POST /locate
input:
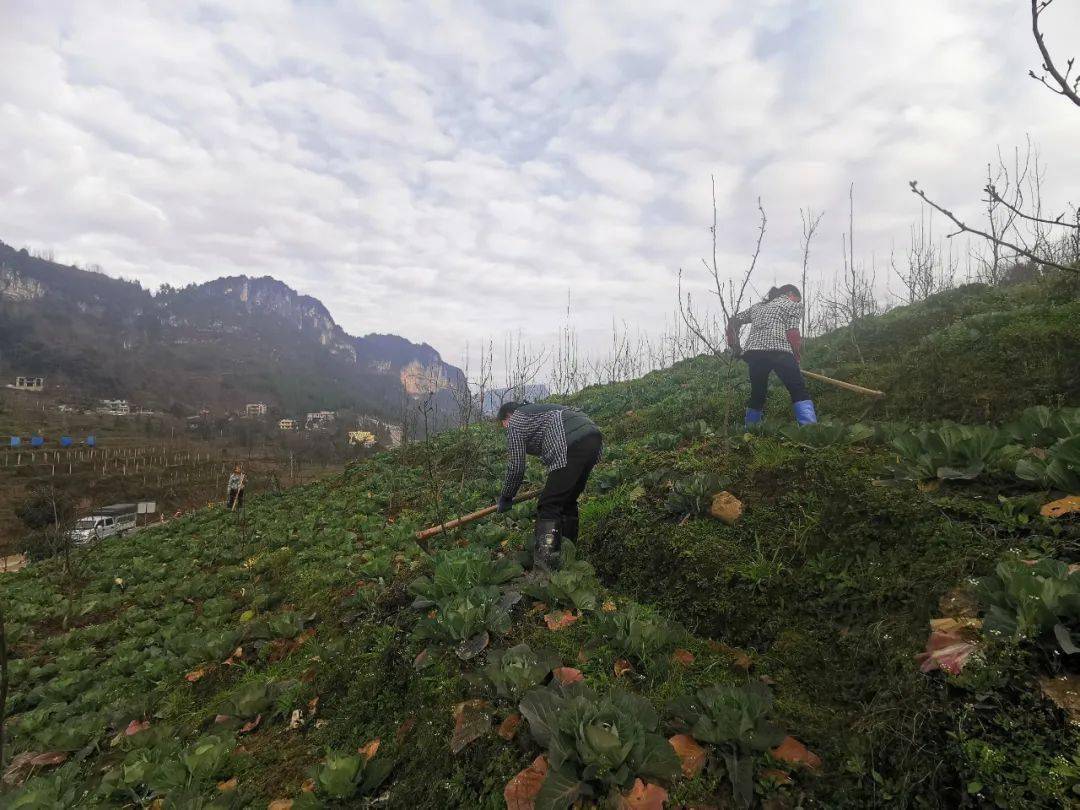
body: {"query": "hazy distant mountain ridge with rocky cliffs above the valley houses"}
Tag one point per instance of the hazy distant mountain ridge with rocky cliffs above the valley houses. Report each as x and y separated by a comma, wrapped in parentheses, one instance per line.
(218, 345)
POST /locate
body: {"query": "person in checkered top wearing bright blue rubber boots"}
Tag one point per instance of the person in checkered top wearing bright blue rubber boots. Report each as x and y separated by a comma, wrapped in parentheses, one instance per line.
(775, 345)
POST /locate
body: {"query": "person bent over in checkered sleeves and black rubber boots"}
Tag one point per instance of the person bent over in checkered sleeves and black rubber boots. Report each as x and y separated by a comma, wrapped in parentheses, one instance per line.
(570, 444)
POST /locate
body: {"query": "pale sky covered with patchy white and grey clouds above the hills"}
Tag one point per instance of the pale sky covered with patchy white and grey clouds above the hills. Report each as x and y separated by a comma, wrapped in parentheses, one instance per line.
(450, 171)
